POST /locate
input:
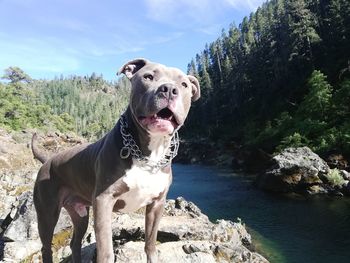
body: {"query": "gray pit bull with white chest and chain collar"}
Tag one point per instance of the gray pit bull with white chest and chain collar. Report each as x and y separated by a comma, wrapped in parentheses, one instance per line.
(130, 167)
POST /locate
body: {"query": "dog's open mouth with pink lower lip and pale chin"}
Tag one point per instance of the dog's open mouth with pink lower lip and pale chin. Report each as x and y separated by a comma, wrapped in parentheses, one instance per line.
(163, 121)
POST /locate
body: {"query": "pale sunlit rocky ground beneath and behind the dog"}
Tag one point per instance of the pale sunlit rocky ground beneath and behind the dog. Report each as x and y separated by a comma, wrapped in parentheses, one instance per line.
(185, 234)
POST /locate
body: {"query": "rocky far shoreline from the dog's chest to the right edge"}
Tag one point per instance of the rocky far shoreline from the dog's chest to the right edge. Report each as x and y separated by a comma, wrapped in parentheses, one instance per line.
(293, 170)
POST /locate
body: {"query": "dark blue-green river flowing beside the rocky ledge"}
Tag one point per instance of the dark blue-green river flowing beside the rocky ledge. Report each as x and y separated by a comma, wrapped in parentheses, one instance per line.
(285, 228)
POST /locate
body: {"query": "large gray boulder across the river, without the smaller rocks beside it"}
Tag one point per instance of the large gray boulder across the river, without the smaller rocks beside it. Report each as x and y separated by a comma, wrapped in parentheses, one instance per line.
(294, 170)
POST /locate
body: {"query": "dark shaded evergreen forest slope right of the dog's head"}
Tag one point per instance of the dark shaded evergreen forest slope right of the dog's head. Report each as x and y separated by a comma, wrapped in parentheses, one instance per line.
(281, 78)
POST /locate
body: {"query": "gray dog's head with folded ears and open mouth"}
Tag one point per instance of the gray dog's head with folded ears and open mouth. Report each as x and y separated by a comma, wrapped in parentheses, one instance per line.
(161, 96)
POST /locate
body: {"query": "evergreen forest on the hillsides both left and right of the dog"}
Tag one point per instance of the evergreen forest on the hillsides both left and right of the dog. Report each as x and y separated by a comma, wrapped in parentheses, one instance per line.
(280, 78)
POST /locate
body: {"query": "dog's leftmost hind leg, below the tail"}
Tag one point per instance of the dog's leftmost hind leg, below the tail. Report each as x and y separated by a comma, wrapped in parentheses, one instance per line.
(46, 201)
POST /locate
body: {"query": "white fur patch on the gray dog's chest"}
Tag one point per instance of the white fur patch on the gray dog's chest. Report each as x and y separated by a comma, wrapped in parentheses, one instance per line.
(143, 186)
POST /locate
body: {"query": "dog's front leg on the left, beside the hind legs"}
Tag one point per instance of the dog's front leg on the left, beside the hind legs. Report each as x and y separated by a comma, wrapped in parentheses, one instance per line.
(103, 206)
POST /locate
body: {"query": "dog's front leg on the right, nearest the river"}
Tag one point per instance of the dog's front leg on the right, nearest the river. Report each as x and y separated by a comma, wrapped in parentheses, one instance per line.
(154, 213)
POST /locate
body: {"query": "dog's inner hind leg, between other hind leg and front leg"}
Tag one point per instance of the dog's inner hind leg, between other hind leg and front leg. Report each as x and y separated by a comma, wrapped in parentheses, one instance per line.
(80, 225)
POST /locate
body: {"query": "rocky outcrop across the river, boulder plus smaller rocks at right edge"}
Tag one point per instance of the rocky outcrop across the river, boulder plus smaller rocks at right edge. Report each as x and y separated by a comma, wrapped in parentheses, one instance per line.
(301, 170)
